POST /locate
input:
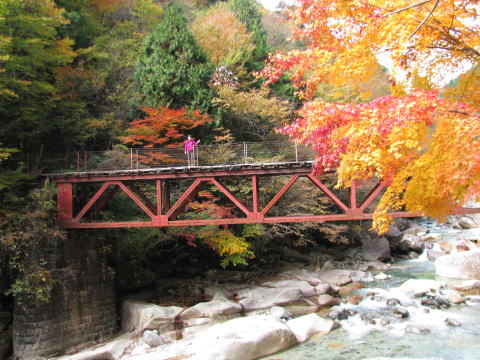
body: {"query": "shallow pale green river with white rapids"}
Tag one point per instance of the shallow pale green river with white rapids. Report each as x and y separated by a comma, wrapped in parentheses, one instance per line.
(361, 339)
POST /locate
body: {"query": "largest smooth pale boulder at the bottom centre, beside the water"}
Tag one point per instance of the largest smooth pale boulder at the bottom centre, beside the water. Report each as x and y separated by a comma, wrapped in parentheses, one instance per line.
(239, 339)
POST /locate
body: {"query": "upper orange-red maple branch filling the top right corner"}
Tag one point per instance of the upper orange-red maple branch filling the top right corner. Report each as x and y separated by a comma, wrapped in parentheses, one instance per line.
(344, 37)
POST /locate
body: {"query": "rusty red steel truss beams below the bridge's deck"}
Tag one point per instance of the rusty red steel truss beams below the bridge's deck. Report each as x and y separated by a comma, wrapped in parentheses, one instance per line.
(162, 214)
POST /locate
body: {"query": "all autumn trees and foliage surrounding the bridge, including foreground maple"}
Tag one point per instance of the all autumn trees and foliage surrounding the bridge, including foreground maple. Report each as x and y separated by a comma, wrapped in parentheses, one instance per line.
(83, 75)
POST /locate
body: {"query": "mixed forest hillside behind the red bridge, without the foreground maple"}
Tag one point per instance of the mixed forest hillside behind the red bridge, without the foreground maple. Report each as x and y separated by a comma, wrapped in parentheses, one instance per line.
(85, 75)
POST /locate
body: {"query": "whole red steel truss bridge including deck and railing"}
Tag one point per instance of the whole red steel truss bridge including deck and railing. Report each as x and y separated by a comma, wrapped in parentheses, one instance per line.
(163, 187)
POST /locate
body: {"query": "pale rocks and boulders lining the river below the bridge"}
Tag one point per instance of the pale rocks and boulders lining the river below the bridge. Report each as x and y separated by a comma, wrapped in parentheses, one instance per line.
(242, 320)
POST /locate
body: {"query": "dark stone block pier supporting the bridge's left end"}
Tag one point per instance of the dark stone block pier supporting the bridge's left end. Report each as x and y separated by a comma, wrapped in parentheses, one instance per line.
(82, 305)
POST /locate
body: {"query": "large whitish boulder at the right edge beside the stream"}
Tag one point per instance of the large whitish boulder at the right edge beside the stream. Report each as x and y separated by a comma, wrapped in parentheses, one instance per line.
(460, 265)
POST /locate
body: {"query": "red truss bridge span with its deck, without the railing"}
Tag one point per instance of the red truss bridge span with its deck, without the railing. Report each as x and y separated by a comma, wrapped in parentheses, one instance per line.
(82, 211)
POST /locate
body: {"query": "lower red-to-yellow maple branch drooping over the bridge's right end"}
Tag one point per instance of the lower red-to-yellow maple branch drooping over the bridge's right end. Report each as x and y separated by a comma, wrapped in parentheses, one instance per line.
(425, 147)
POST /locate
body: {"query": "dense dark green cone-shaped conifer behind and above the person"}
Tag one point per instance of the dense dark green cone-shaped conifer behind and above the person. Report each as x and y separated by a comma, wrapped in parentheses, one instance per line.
(173, 71)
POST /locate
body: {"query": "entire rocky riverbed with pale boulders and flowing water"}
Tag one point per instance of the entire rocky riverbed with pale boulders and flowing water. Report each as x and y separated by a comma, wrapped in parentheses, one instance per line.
(356, 303)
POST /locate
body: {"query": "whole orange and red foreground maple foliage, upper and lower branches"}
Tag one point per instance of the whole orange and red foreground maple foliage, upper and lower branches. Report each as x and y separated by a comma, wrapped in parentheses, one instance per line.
(426, 147)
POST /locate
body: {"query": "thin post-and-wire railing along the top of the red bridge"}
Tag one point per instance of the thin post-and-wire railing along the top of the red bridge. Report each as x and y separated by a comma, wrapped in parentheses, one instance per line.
(123, 158)
